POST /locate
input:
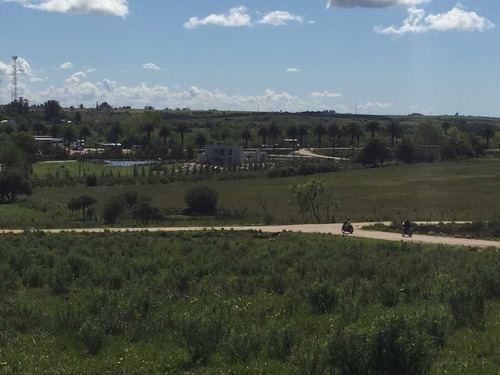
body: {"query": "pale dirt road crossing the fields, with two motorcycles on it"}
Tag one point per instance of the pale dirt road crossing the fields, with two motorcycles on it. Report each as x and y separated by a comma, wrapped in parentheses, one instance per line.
(304, 228)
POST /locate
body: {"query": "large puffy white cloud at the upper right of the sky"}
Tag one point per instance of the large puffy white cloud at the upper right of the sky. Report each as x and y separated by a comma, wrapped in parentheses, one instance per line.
(455, 19)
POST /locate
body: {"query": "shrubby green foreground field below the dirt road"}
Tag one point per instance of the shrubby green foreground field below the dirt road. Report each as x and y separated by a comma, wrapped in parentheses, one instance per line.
(244, 303)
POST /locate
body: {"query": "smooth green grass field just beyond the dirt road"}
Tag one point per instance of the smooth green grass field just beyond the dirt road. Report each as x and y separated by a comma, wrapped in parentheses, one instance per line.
(466, 190)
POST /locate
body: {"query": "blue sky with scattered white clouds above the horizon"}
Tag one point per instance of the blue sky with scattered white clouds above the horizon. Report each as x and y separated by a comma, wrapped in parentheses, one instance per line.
(364, 56)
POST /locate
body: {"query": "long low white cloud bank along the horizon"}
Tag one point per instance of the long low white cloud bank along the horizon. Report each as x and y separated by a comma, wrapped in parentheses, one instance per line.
(77, 90)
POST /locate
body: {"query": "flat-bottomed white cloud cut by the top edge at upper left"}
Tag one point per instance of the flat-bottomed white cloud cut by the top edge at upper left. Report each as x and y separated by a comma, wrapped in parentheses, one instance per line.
(104, 7)
